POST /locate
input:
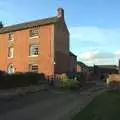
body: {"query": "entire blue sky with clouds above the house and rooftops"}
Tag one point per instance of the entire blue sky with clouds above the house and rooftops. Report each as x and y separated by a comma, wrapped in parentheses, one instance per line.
(94, 25)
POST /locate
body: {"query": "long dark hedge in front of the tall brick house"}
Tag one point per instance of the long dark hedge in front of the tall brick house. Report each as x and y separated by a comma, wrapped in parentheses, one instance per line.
(20, 79)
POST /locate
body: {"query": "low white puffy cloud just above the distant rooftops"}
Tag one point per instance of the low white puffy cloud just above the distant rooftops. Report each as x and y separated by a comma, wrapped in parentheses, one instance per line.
(97, 57)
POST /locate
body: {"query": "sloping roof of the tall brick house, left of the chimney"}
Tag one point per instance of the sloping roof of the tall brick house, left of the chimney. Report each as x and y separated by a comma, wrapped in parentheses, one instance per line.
(29, 24)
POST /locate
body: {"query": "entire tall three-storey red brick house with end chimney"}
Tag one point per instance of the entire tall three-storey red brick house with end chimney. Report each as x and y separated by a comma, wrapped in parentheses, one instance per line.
(37, 46)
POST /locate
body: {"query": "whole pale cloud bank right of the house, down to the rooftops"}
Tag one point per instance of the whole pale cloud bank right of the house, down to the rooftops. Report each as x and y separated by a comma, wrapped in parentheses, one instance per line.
(95, 45)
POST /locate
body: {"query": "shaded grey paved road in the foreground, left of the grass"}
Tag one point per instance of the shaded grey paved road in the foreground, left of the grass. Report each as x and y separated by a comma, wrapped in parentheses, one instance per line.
(44, 106)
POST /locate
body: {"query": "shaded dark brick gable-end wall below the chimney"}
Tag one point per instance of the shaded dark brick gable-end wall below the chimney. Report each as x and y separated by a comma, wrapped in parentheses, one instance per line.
(61, 47)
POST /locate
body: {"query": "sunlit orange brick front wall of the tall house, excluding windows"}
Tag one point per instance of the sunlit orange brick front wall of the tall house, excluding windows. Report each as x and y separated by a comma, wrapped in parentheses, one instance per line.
(21, 43)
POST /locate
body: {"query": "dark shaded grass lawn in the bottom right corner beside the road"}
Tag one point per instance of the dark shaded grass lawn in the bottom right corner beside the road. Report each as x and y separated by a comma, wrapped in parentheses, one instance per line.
(106, 106)
